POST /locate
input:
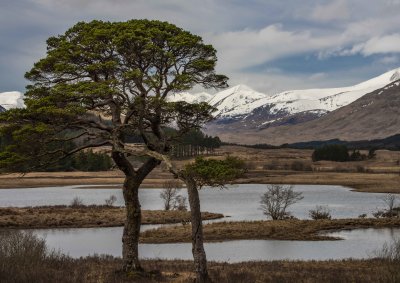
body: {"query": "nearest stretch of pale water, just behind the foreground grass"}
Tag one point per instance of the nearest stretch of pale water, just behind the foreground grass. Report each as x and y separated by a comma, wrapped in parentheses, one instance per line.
(361, 243)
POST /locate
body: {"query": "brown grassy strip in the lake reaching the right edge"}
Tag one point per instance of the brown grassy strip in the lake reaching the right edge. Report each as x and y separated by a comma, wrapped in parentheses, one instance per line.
(278, 230)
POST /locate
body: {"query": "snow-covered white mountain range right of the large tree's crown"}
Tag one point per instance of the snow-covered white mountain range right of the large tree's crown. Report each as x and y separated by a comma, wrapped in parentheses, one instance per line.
(259, 109)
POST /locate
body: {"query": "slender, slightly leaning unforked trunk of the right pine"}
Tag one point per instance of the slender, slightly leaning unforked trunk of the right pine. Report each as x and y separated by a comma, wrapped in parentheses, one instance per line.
(199, 255)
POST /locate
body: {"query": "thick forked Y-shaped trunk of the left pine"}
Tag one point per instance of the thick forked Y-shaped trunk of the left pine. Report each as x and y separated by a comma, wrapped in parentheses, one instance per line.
(130, 237)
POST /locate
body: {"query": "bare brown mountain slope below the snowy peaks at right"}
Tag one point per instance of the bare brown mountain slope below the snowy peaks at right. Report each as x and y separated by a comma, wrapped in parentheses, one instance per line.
(375, 115)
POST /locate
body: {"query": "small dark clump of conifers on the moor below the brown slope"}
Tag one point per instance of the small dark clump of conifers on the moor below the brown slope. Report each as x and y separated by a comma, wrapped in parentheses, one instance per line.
(340, 153)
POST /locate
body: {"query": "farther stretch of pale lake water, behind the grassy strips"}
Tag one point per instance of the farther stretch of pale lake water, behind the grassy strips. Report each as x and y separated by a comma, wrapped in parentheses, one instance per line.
(239, 202)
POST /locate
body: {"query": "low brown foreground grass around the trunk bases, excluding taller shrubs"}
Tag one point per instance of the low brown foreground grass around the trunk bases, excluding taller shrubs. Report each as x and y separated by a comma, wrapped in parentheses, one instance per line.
(107, 269)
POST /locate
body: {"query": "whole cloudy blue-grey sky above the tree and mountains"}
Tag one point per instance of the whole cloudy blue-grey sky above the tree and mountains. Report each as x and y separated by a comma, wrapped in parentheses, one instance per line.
(270, 45)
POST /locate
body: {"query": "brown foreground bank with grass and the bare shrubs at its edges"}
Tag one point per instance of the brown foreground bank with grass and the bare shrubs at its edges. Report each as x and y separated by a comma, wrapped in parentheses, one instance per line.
(26, 258)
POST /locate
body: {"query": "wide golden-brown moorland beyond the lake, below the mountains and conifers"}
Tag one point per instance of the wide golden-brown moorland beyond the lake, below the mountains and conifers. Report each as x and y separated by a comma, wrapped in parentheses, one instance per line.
(380, 174)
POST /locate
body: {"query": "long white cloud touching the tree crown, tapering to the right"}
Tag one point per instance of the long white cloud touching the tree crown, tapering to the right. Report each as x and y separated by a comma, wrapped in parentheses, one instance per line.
(246, 48)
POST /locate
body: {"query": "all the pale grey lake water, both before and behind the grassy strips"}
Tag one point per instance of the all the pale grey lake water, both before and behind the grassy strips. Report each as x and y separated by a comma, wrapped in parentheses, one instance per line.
(238, 202)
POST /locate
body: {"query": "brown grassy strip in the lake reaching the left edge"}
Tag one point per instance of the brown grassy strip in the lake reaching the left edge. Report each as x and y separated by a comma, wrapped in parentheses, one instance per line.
(86, 216)
